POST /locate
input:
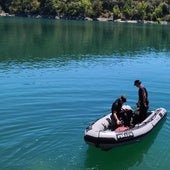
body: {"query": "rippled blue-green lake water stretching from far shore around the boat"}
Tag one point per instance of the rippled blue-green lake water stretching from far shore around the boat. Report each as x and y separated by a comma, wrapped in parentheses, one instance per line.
(56, 77)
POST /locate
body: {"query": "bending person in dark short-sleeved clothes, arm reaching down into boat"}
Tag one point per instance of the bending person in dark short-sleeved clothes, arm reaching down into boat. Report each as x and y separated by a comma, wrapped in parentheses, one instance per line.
(117, 111)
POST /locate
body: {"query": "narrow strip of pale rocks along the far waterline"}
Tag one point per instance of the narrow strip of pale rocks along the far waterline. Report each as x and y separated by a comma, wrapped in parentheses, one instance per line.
(101, 19)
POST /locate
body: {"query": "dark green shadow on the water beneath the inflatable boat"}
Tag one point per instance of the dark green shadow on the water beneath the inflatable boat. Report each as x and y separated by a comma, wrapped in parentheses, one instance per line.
(122, 157)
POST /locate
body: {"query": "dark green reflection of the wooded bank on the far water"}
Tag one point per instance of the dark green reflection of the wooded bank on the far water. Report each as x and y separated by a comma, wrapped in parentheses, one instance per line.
(39, 40)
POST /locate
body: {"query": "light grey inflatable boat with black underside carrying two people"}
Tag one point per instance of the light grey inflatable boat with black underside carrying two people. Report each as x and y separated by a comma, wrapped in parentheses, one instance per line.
(100, 134)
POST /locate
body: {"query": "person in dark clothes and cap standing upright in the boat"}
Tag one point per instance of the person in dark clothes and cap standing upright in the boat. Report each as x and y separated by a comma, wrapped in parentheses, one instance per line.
(143, 102)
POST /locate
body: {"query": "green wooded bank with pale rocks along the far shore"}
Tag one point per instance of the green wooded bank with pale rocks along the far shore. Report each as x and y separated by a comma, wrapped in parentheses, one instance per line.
(130, 11)
